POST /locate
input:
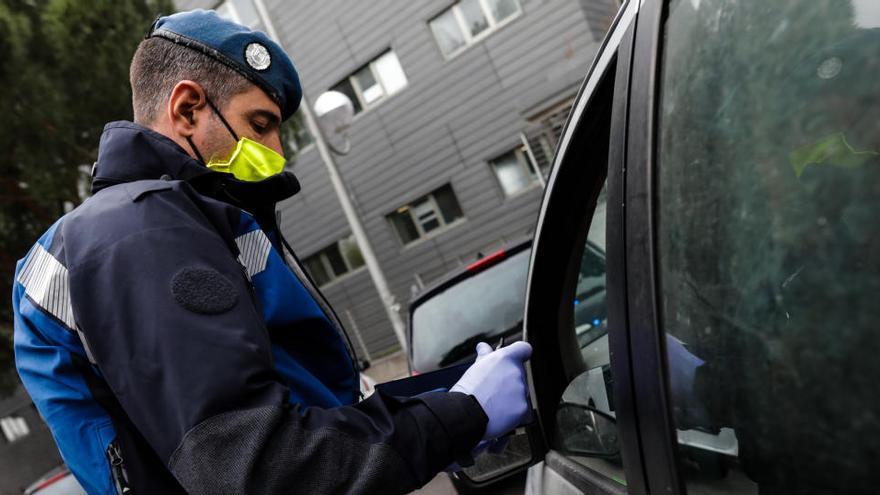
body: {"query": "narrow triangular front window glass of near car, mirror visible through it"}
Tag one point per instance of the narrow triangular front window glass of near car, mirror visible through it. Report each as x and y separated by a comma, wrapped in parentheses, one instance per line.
(585, 428)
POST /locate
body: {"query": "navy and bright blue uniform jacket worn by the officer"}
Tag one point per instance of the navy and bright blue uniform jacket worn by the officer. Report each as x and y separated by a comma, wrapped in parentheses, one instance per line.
(171, 346)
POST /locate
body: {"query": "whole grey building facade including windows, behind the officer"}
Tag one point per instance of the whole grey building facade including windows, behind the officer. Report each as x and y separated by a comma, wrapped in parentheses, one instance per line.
(458, 108)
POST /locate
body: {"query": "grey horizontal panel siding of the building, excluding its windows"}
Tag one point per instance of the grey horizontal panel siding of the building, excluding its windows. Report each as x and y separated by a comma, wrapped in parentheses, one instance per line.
(453, 116)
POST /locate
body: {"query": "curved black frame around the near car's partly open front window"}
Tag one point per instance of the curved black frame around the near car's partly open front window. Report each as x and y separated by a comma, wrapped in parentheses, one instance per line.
(563, 225)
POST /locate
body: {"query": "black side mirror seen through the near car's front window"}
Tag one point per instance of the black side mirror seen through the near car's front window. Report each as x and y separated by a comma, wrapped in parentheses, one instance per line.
(589, 432)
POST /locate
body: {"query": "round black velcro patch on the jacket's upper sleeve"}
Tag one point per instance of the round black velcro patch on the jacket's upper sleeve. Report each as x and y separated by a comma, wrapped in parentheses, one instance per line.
(203, 290)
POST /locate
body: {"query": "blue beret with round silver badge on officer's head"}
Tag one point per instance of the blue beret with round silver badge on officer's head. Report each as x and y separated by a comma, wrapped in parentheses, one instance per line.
(253, 54)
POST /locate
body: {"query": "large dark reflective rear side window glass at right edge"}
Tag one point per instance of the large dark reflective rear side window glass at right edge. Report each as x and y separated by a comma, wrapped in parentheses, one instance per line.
(769, 245)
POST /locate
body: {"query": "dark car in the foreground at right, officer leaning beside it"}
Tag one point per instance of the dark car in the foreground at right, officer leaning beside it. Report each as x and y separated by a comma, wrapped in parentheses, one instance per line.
(725, 158)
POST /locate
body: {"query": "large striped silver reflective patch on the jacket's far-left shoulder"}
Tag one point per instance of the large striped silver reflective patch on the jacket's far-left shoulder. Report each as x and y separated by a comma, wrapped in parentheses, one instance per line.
(46, 282)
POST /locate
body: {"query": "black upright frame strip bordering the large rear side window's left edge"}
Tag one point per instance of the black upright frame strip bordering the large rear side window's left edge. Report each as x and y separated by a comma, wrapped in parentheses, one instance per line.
(637, 233)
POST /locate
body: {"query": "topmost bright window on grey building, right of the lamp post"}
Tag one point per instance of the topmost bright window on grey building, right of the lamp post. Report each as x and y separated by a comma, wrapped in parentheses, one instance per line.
(469, 21)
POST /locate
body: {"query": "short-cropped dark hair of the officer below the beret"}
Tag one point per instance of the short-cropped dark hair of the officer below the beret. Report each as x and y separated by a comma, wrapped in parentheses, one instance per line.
(159, 64)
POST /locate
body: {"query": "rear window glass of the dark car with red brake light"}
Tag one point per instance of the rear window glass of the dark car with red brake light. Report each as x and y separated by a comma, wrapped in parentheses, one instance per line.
(447, 327)
